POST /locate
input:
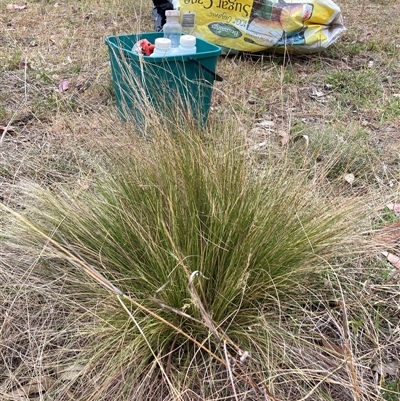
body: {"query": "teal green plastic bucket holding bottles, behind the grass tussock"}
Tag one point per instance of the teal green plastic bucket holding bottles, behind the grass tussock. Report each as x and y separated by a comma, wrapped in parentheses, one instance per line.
(175, 86)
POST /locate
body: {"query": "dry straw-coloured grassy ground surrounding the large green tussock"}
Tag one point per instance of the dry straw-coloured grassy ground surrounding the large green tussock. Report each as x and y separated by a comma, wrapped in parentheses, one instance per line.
(339, 340)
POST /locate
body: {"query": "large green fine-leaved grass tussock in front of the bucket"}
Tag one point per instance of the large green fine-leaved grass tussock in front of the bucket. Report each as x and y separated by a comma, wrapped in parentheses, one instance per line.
(197, 255)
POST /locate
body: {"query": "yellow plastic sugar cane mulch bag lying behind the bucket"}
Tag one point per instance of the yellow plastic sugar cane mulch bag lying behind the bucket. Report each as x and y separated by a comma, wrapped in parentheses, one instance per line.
(258, 25)
